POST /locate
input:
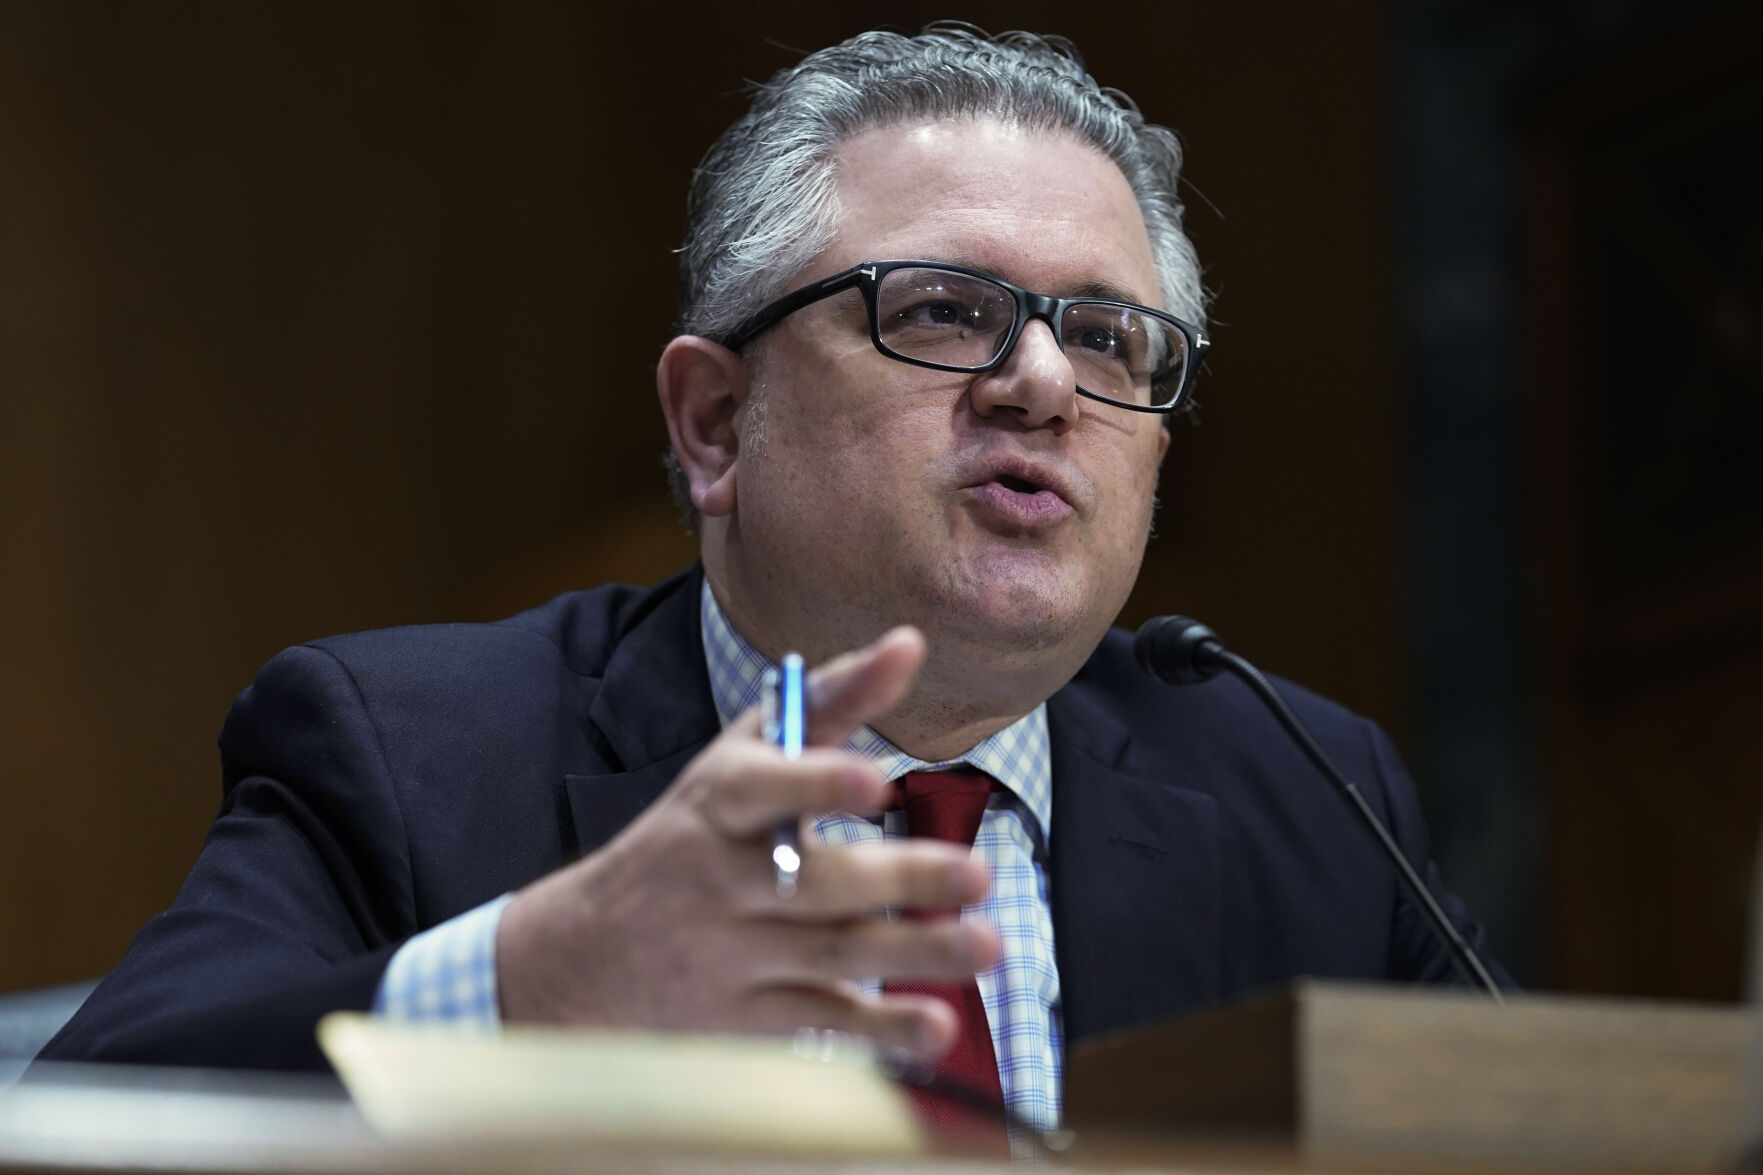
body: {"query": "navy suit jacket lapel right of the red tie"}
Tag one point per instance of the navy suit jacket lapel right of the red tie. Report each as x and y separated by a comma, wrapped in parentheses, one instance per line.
(1136, 878)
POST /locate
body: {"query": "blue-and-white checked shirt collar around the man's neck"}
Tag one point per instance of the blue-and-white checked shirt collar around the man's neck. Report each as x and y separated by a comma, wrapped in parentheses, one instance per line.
(1016, 756)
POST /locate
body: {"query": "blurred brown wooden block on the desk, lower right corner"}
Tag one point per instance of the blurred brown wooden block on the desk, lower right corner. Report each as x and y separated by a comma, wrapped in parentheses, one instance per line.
(1364, 1070)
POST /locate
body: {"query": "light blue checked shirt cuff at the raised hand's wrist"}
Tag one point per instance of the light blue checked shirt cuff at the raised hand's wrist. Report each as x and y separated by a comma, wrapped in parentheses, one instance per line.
(447, 973)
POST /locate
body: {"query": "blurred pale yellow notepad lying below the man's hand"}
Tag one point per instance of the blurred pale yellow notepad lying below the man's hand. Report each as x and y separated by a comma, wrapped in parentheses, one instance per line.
(812, 1096)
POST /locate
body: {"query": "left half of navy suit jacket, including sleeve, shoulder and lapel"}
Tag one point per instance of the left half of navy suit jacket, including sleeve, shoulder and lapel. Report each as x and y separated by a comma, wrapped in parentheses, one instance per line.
(380, 784)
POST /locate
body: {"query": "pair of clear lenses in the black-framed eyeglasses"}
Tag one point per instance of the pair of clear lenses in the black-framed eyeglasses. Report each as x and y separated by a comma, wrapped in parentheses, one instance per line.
(958, 320)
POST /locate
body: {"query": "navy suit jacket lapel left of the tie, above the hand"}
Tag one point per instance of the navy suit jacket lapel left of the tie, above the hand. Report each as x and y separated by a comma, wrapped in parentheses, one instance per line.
(653, 714)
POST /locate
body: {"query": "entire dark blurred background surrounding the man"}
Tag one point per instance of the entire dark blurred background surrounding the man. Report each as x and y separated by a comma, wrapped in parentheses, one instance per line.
(325, 317)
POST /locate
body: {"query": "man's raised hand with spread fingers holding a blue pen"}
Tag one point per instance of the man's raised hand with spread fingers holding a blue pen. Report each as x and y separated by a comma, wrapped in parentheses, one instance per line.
(676, 924)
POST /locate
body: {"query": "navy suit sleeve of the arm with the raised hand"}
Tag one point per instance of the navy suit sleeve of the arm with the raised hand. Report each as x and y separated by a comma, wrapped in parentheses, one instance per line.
(301, 895)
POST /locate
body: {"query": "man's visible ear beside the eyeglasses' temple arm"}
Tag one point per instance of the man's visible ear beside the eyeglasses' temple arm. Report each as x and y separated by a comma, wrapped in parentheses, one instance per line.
(703, 385)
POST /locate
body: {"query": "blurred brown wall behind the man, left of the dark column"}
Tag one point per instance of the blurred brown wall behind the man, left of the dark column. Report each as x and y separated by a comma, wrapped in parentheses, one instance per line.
(329, 317)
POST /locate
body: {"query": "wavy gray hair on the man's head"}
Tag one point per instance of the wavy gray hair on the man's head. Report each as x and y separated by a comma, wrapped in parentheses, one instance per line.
(764, 200)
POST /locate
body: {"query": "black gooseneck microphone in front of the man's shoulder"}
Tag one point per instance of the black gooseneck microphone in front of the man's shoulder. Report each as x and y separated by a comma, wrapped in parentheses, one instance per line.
(1184, 652)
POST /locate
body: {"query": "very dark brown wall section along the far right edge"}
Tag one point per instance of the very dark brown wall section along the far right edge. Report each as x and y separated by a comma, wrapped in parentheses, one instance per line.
(1646, 225)
